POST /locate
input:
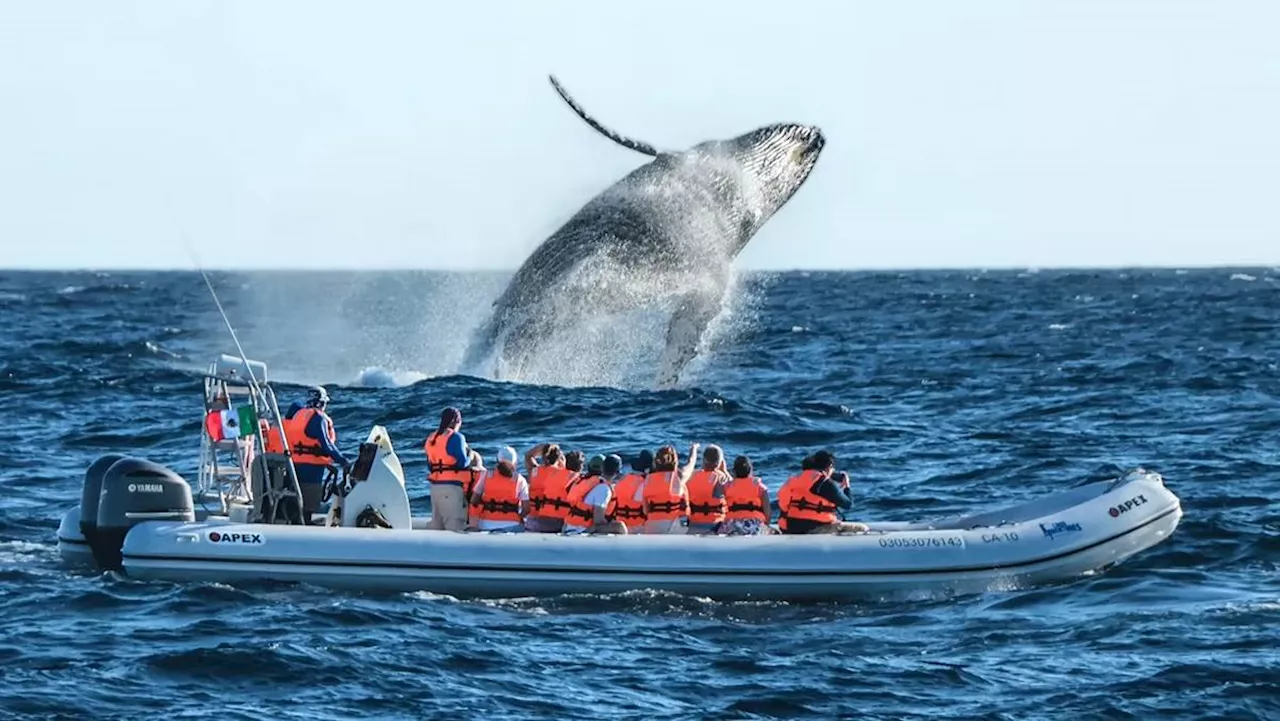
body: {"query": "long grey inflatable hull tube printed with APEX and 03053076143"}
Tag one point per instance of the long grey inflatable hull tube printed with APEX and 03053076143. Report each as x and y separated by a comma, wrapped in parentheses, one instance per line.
(1087, 530)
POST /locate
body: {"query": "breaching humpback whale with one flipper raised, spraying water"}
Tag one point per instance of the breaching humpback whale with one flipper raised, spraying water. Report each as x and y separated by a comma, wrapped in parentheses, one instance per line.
(662, 238)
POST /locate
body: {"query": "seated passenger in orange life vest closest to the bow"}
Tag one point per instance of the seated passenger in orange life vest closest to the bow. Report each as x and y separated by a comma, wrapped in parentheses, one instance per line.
(808, 503)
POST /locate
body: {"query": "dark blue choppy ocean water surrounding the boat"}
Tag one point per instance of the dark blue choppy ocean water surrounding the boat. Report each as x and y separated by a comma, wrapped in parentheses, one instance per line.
(939, 391)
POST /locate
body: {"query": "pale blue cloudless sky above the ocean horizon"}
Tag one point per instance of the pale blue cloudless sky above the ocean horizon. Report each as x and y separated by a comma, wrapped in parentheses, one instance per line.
(424, 135)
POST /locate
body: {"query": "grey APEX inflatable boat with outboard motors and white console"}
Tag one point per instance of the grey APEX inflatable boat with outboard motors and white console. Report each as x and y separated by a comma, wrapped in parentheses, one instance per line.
(145, 523)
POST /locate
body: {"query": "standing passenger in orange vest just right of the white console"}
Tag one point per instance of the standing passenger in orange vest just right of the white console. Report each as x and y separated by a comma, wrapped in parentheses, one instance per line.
(452, 469)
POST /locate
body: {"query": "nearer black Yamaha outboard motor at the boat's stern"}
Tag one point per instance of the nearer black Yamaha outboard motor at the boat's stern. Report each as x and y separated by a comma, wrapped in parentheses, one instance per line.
(136, 491)
